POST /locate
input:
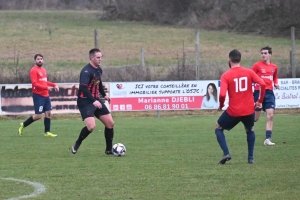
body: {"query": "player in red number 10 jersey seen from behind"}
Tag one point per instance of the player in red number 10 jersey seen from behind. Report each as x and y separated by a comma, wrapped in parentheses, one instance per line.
(237, 81)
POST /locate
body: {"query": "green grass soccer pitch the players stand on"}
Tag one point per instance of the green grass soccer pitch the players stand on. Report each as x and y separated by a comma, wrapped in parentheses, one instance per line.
(167, 158)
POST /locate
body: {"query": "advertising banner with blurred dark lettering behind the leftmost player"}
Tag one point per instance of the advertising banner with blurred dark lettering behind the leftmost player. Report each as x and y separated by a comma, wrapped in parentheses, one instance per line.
(17, 98)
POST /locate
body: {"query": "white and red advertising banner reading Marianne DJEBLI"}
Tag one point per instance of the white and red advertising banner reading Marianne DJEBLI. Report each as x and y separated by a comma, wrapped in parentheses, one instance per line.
(164, 95)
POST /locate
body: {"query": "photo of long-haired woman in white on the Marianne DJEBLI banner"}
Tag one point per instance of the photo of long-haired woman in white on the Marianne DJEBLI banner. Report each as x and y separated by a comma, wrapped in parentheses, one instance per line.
(210, 99)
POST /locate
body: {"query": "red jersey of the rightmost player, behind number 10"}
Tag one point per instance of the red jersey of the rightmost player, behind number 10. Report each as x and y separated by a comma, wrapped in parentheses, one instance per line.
(268, 72)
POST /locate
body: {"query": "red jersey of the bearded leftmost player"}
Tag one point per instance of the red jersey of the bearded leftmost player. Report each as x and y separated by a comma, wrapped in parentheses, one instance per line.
(39, 81)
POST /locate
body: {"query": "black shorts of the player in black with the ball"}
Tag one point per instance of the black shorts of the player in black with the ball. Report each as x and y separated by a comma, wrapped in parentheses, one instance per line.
(88, 109)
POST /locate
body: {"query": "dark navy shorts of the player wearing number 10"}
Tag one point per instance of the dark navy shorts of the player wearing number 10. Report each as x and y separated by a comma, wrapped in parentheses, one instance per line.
(228, 122)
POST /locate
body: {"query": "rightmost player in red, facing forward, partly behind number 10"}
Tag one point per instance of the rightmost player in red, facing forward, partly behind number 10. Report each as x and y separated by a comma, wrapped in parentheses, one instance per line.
(268, 72)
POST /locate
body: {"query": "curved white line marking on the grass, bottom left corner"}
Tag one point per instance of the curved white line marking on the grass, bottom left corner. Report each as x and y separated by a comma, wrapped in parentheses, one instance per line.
(38, 188)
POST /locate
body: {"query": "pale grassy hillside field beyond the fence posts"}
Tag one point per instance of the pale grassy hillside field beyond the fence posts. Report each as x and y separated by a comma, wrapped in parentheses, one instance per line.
(65, 37)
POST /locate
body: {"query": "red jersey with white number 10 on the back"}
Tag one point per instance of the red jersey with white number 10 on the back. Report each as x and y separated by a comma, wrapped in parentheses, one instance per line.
(237, 81)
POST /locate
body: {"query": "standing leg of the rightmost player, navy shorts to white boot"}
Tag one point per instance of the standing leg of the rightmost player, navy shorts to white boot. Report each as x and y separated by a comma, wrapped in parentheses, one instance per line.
(269, 107)
